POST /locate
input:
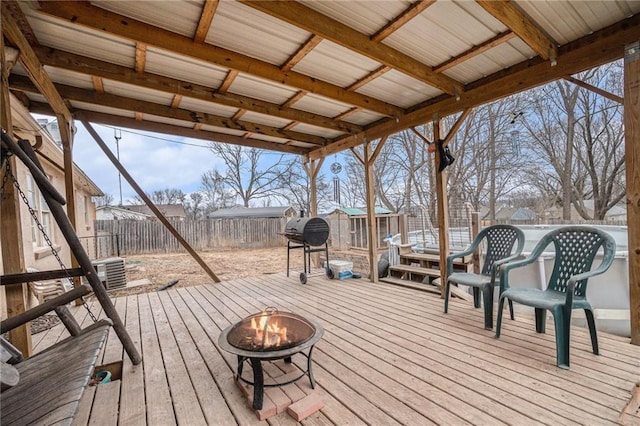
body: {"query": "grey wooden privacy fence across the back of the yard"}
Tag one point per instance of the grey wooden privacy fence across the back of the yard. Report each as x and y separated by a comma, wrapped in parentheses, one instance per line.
(148, 236)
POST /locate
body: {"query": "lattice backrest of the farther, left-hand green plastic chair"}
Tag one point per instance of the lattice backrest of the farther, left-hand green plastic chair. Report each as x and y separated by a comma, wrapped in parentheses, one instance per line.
(501, 240)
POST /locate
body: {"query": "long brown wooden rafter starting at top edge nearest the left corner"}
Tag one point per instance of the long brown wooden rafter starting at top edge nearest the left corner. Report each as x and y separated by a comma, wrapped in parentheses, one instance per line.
(83, 13)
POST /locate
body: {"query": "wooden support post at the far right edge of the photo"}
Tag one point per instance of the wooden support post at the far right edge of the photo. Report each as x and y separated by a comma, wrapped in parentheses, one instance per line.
(632, 158)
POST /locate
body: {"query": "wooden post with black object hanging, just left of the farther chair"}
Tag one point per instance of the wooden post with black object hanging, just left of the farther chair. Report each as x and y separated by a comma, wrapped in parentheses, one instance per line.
(443, 209)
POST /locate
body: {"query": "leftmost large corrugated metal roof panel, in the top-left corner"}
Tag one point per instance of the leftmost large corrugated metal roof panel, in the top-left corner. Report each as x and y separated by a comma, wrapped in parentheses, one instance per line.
(55, 33)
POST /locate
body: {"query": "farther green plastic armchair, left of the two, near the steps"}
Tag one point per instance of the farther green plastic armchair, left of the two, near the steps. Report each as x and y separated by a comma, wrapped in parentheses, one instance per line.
(501, 240)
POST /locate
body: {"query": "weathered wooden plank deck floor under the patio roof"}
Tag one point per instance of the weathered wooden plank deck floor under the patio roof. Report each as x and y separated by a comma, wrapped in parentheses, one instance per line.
(389, 356)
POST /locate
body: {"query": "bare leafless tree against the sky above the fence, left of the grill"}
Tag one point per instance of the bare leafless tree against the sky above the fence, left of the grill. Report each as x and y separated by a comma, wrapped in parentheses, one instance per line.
(247, 175)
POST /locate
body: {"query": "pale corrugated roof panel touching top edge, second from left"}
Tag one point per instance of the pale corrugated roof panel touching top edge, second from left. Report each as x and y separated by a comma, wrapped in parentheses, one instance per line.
(245, 30)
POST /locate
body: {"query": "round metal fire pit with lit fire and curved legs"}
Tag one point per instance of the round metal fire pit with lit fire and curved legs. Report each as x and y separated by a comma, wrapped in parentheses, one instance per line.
(268, 336)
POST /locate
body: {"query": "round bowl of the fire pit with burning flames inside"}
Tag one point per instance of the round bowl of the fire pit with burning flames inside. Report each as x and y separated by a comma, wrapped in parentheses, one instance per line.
(270, 330)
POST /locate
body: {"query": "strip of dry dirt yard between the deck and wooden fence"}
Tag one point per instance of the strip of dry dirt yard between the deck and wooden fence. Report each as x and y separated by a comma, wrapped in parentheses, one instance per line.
(161, 269)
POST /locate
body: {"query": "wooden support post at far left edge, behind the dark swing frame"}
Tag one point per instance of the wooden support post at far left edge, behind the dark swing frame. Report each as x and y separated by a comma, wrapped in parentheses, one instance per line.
(10, 225)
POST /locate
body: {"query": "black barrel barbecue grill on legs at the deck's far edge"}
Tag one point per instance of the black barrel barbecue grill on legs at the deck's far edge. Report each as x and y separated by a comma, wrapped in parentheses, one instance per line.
(308, 234)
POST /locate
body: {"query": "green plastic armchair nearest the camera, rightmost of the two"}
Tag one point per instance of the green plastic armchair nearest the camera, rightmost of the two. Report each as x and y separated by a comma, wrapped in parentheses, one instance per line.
(575, 250)
